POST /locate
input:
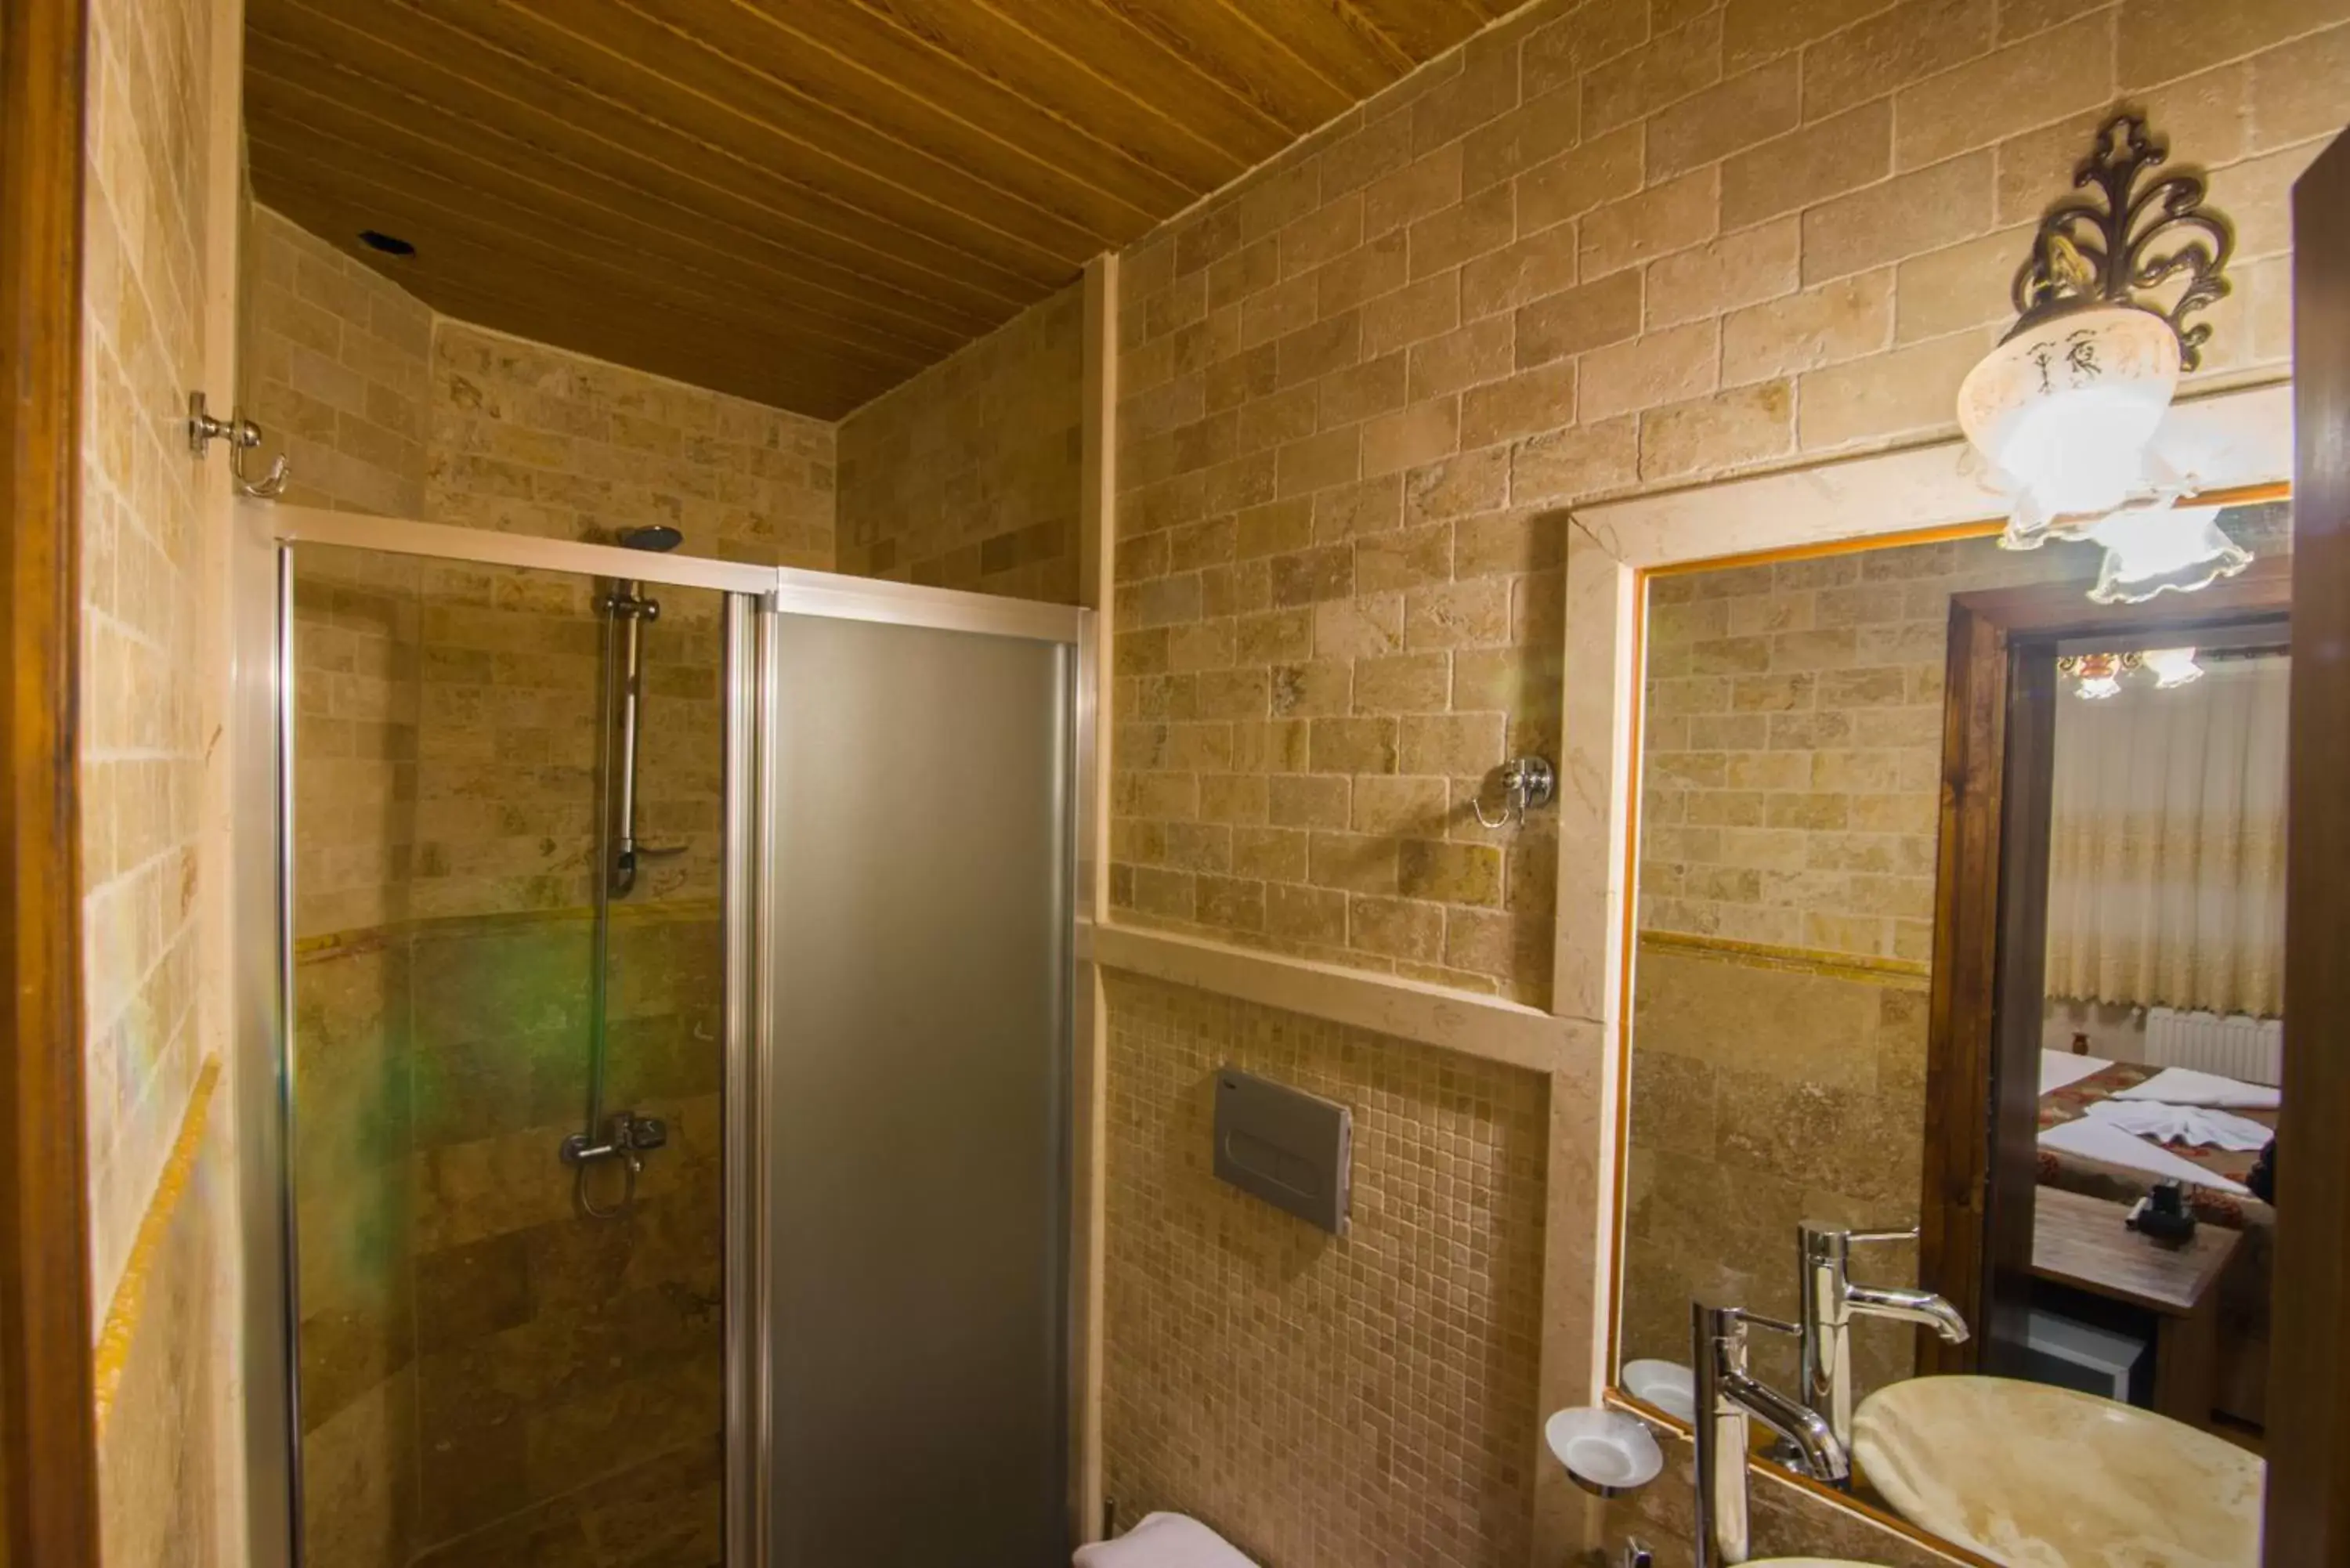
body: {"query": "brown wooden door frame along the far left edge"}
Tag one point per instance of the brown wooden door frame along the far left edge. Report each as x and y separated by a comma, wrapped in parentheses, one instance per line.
(48, 1430)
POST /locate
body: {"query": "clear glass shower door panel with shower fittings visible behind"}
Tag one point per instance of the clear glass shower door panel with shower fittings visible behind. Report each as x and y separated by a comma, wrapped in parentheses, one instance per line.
(504, 1358)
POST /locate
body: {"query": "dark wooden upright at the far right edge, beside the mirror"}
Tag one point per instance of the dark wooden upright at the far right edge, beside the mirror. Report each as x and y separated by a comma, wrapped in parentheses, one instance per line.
(2309, 1388)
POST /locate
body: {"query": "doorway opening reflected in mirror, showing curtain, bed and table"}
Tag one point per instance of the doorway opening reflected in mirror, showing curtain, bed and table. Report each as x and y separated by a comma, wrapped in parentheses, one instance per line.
(2163, 1028)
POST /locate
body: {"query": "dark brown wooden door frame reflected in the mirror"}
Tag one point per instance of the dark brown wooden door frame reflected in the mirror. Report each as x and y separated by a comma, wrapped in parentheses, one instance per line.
(1982, 1059)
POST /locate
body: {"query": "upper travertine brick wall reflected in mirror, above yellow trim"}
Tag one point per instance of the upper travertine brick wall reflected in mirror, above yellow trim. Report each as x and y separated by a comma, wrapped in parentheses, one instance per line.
(1792, 744)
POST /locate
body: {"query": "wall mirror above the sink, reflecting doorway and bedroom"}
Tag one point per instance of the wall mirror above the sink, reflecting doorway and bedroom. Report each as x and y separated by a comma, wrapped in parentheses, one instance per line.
(1956, 1028)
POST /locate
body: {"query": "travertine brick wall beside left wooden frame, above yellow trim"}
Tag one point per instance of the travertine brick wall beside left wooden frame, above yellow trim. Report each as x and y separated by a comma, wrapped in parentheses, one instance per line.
(142, 603)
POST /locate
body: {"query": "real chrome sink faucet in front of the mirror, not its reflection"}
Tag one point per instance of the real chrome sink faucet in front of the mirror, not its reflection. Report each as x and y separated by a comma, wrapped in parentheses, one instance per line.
(1728, 1400)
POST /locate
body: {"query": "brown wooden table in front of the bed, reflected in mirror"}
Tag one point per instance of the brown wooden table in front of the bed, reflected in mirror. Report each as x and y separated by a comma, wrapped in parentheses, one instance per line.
(2081, 1242)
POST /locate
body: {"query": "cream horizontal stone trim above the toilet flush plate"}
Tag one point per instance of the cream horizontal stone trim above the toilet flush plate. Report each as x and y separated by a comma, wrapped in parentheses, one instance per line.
(1409, 1010)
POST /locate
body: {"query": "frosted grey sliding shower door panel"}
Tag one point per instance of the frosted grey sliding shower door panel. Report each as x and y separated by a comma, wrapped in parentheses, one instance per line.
(918, 1097)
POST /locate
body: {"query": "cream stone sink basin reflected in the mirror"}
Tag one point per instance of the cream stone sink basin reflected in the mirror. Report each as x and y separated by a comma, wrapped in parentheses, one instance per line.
(2043, 1477)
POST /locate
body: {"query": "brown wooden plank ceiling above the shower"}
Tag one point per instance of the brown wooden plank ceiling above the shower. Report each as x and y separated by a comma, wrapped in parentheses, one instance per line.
(795, 201)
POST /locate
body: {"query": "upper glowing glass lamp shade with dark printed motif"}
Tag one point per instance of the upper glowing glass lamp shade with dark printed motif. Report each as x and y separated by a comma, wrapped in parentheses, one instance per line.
(2067, 413)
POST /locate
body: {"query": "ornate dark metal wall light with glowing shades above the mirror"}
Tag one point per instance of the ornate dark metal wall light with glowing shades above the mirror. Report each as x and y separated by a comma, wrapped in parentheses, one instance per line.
(2069, 406)
